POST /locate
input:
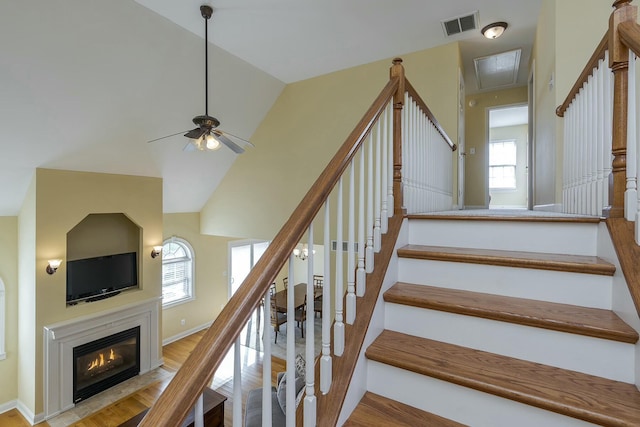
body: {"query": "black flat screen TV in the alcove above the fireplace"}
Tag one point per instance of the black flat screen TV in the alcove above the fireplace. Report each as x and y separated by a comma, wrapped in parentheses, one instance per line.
(100, 277)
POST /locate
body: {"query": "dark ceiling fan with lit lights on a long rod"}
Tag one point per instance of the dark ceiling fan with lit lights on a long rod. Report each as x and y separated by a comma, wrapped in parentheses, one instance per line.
(207, 136)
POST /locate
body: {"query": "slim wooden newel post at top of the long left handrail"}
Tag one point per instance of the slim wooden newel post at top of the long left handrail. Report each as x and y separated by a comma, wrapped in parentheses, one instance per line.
(397, 70)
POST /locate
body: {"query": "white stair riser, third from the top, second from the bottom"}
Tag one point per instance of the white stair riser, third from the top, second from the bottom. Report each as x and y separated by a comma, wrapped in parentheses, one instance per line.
(563, 350)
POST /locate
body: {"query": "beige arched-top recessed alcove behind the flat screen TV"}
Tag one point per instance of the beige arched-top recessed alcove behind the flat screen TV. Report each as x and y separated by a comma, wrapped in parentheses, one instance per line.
(104, 235)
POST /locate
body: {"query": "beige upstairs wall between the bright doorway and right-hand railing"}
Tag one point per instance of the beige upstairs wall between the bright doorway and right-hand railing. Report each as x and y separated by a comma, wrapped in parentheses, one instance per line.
(564, 43)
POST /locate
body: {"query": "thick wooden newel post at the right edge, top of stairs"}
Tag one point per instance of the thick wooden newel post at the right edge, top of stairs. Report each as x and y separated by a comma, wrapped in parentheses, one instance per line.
(619, 63)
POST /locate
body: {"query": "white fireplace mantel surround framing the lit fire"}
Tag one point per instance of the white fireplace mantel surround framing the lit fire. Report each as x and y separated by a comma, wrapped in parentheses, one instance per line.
(61, 338)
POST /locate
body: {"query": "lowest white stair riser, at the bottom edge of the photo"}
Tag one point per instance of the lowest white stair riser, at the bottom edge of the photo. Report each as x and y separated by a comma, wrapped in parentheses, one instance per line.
(459, 403)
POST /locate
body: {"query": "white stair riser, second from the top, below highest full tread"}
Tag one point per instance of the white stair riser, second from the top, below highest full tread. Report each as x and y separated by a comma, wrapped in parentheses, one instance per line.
(589, 290)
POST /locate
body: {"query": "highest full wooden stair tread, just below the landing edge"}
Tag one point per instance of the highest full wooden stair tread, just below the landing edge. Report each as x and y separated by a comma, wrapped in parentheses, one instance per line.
(536, 260)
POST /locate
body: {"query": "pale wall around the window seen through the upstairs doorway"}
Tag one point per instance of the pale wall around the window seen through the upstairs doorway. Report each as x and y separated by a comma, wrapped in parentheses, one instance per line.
(516, 198)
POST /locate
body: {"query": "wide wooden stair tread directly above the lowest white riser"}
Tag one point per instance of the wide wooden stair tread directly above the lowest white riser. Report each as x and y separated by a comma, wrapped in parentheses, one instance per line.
(587, 397)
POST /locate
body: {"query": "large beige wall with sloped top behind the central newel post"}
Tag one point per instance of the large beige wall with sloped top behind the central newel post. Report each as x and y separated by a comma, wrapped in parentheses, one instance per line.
(302, 132)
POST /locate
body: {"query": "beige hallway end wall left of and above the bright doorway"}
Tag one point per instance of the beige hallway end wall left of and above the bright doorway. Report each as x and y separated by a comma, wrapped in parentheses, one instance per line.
(476, 133)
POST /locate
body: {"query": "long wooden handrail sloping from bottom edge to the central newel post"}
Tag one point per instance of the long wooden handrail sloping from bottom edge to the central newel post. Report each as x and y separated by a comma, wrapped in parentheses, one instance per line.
(173, 405)
